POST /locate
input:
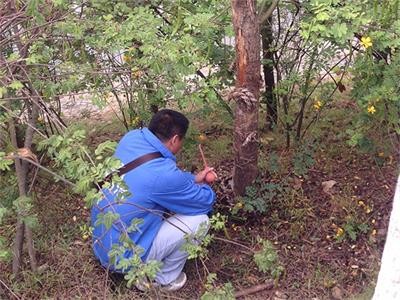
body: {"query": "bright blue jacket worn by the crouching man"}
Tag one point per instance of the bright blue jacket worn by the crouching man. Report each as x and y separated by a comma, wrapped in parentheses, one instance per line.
(155, 186)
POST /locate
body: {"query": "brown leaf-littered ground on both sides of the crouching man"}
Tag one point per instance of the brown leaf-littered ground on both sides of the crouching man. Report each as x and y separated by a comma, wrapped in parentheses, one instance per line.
(317, 265)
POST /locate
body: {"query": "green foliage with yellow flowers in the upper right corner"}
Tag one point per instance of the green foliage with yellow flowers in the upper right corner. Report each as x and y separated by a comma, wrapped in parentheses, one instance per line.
(371, 29)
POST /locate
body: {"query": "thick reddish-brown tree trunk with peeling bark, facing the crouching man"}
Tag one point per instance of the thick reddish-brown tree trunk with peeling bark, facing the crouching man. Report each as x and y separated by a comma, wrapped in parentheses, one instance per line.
(246, 93)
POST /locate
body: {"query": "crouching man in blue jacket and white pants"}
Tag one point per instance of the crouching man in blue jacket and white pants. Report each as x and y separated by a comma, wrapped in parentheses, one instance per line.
(157, 187)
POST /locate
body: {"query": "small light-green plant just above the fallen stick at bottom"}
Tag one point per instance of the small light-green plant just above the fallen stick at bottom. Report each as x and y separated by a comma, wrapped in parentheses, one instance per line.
(267, 259)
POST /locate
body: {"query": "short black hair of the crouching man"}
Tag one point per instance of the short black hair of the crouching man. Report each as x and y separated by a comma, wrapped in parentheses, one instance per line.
(166, 123)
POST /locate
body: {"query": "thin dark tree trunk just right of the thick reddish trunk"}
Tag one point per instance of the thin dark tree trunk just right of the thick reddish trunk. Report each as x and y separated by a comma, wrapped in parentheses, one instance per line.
(268, 70)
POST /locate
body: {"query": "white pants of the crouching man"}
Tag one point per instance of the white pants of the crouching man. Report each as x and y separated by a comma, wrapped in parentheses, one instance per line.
(168, 242)
